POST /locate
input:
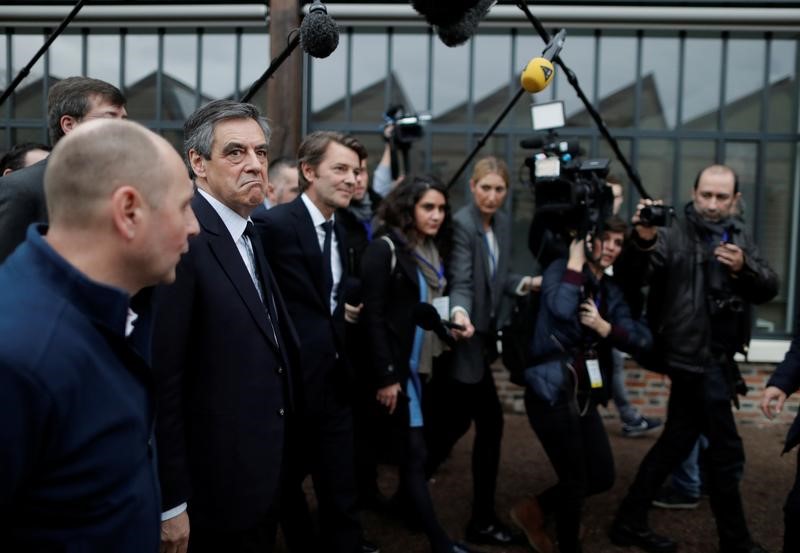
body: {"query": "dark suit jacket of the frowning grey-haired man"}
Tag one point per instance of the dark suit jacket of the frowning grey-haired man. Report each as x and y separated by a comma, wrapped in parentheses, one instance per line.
(223, 386)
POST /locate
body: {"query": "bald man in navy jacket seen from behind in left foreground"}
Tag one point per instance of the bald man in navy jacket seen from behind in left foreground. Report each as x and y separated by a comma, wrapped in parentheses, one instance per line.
(77, 466)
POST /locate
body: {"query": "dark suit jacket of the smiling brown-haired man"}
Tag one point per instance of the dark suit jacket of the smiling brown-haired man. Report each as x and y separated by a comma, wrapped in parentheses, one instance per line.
(290, 242)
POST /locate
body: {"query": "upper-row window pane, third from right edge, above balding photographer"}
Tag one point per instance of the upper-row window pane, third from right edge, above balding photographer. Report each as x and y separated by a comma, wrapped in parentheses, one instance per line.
(701, 83)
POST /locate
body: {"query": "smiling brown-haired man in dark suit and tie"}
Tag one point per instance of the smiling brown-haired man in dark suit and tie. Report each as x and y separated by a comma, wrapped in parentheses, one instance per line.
(305, 247)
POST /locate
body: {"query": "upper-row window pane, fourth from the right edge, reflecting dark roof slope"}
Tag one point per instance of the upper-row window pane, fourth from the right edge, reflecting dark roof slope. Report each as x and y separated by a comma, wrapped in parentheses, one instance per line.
(659, 82)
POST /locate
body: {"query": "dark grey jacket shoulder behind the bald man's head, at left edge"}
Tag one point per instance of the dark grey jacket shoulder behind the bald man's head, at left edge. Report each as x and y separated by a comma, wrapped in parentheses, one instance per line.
(21, 203)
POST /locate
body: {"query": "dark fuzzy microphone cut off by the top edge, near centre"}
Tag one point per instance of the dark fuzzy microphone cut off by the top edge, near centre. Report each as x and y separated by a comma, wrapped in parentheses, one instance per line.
(455, 21)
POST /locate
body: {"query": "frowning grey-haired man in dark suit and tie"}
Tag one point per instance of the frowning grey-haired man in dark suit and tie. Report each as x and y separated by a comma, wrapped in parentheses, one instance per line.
(222, 348)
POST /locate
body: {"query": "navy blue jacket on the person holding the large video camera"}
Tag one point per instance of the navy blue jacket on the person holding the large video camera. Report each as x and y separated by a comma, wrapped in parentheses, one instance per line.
(559, 331)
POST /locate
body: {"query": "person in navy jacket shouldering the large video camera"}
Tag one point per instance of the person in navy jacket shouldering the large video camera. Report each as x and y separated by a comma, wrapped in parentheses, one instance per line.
(582, 315)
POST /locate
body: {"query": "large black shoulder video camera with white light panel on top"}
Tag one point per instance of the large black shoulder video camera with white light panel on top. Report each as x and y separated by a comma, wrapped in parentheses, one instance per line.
(571, 195)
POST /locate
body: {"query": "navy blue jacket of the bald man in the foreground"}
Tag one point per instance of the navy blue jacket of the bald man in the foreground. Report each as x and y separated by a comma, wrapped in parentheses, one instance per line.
(77, 471)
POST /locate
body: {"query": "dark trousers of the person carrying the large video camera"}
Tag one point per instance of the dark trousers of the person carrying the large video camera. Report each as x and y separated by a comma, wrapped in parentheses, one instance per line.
(579, 450)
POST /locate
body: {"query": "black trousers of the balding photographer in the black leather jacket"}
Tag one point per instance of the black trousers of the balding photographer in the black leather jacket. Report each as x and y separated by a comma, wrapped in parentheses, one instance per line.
(698, 404)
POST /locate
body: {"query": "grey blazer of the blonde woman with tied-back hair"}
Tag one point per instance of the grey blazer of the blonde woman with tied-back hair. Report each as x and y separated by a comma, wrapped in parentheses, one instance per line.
(487, 300)
